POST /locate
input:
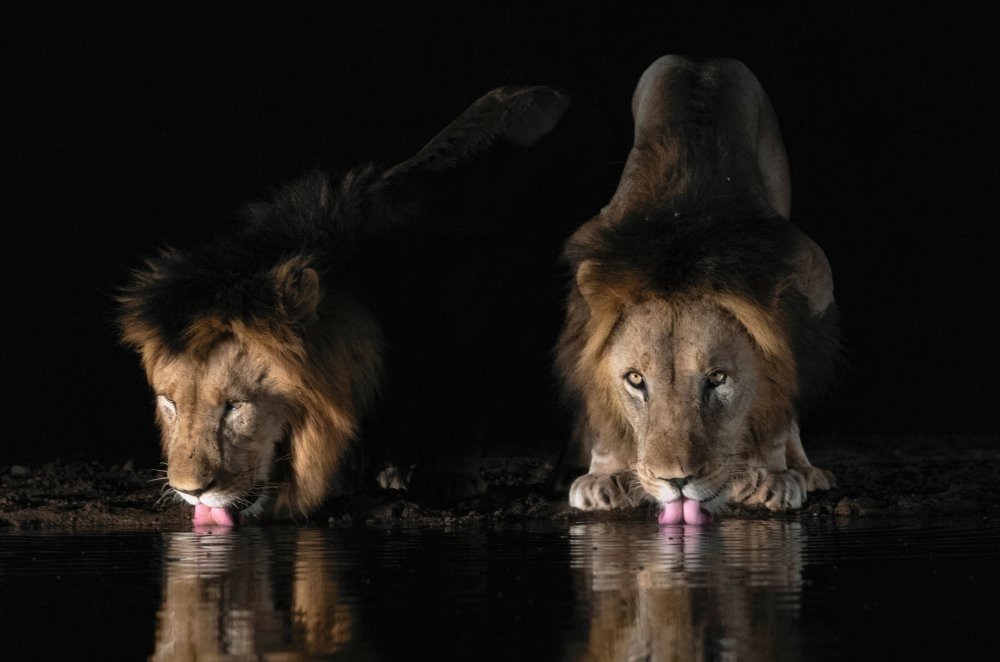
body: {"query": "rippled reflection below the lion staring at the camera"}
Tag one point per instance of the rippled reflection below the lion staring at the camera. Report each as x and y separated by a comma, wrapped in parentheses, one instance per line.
(725, 592)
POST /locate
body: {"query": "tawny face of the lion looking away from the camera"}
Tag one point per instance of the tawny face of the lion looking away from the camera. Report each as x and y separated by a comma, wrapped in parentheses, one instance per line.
(222, 417)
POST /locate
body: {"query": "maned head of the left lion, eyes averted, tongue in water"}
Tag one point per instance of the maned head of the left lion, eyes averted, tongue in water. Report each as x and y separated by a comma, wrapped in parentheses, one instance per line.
(260, 381)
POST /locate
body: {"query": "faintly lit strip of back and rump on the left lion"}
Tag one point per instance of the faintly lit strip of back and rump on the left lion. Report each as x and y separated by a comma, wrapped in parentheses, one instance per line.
(518, 117)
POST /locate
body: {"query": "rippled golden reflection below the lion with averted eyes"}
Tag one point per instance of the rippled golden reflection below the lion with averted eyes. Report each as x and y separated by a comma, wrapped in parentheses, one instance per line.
(232, 595)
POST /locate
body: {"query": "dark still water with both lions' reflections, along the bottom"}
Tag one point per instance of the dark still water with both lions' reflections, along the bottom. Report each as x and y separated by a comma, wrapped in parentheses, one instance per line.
(735, 590)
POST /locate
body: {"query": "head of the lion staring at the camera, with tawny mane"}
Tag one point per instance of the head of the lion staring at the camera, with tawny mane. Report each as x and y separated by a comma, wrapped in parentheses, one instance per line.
(693, 387)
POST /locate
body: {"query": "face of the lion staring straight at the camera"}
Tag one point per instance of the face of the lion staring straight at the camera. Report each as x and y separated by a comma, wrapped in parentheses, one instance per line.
(684, 377)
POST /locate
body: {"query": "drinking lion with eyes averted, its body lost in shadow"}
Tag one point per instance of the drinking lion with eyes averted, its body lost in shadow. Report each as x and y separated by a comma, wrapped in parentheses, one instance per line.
(353, 323)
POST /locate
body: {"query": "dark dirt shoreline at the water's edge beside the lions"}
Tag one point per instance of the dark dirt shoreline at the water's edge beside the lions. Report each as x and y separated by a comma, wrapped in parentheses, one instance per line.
(878, 475)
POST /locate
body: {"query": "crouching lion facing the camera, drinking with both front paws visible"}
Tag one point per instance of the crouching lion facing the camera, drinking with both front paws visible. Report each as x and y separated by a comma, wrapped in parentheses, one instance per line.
(700, 322)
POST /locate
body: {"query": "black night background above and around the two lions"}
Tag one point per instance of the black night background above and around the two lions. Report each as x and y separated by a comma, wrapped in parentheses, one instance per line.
(127, 127)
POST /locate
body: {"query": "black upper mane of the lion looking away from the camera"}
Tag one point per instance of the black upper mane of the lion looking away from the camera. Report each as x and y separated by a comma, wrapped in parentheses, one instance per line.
(321, 221)
